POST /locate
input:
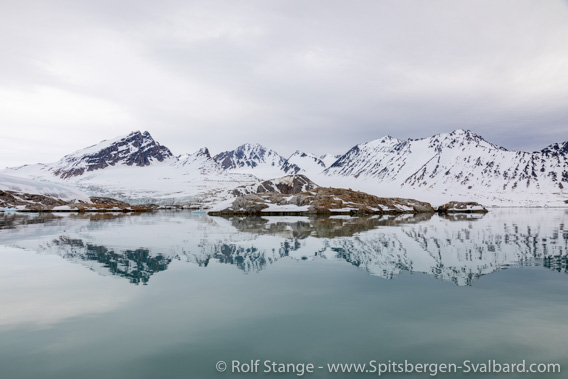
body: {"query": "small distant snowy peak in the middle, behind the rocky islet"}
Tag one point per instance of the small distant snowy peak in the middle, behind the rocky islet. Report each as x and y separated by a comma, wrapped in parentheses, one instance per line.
(257, 160)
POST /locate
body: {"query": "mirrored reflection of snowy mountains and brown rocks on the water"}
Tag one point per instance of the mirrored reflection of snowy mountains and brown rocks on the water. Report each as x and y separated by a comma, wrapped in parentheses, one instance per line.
(459, 248)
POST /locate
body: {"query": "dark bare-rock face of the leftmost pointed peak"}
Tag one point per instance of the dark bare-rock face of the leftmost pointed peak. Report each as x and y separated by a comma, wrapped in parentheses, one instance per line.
(135, 149)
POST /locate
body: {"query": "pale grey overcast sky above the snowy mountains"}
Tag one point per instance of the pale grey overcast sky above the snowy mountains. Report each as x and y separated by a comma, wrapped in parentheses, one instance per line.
(319, 76)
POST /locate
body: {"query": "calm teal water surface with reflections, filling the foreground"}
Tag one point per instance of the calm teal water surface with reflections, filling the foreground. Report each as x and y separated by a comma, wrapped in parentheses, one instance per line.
(168, 295)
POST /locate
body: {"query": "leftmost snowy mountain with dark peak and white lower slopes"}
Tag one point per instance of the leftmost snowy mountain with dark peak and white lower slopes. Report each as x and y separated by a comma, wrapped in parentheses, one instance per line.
(136, 168)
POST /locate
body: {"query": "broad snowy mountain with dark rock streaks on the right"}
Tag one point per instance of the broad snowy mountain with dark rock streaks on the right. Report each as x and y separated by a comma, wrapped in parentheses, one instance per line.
(459, 164)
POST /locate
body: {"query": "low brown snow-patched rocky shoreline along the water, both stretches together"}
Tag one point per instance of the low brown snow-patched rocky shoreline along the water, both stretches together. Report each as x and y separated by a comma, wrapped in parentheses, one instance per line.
(292, 200)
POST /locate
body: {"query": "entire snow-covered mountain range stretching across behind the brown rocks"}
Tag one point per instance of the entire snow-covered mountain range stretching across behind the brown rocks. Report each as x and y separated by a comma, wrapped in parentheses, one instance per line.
(459, 165)
